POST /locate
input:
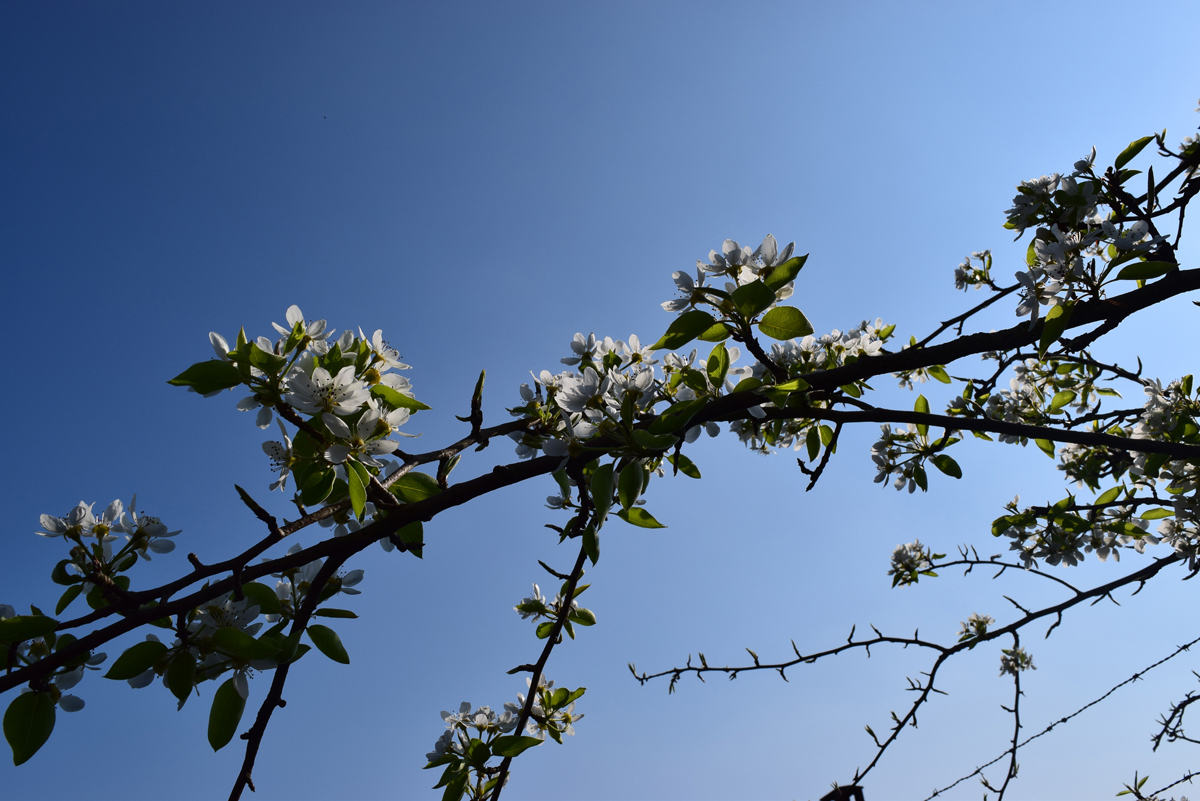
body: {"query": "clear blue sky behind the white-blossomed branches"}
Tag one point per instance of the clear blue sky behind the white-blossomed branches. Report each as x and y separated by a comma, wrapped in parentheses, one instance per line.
(482, 182)
